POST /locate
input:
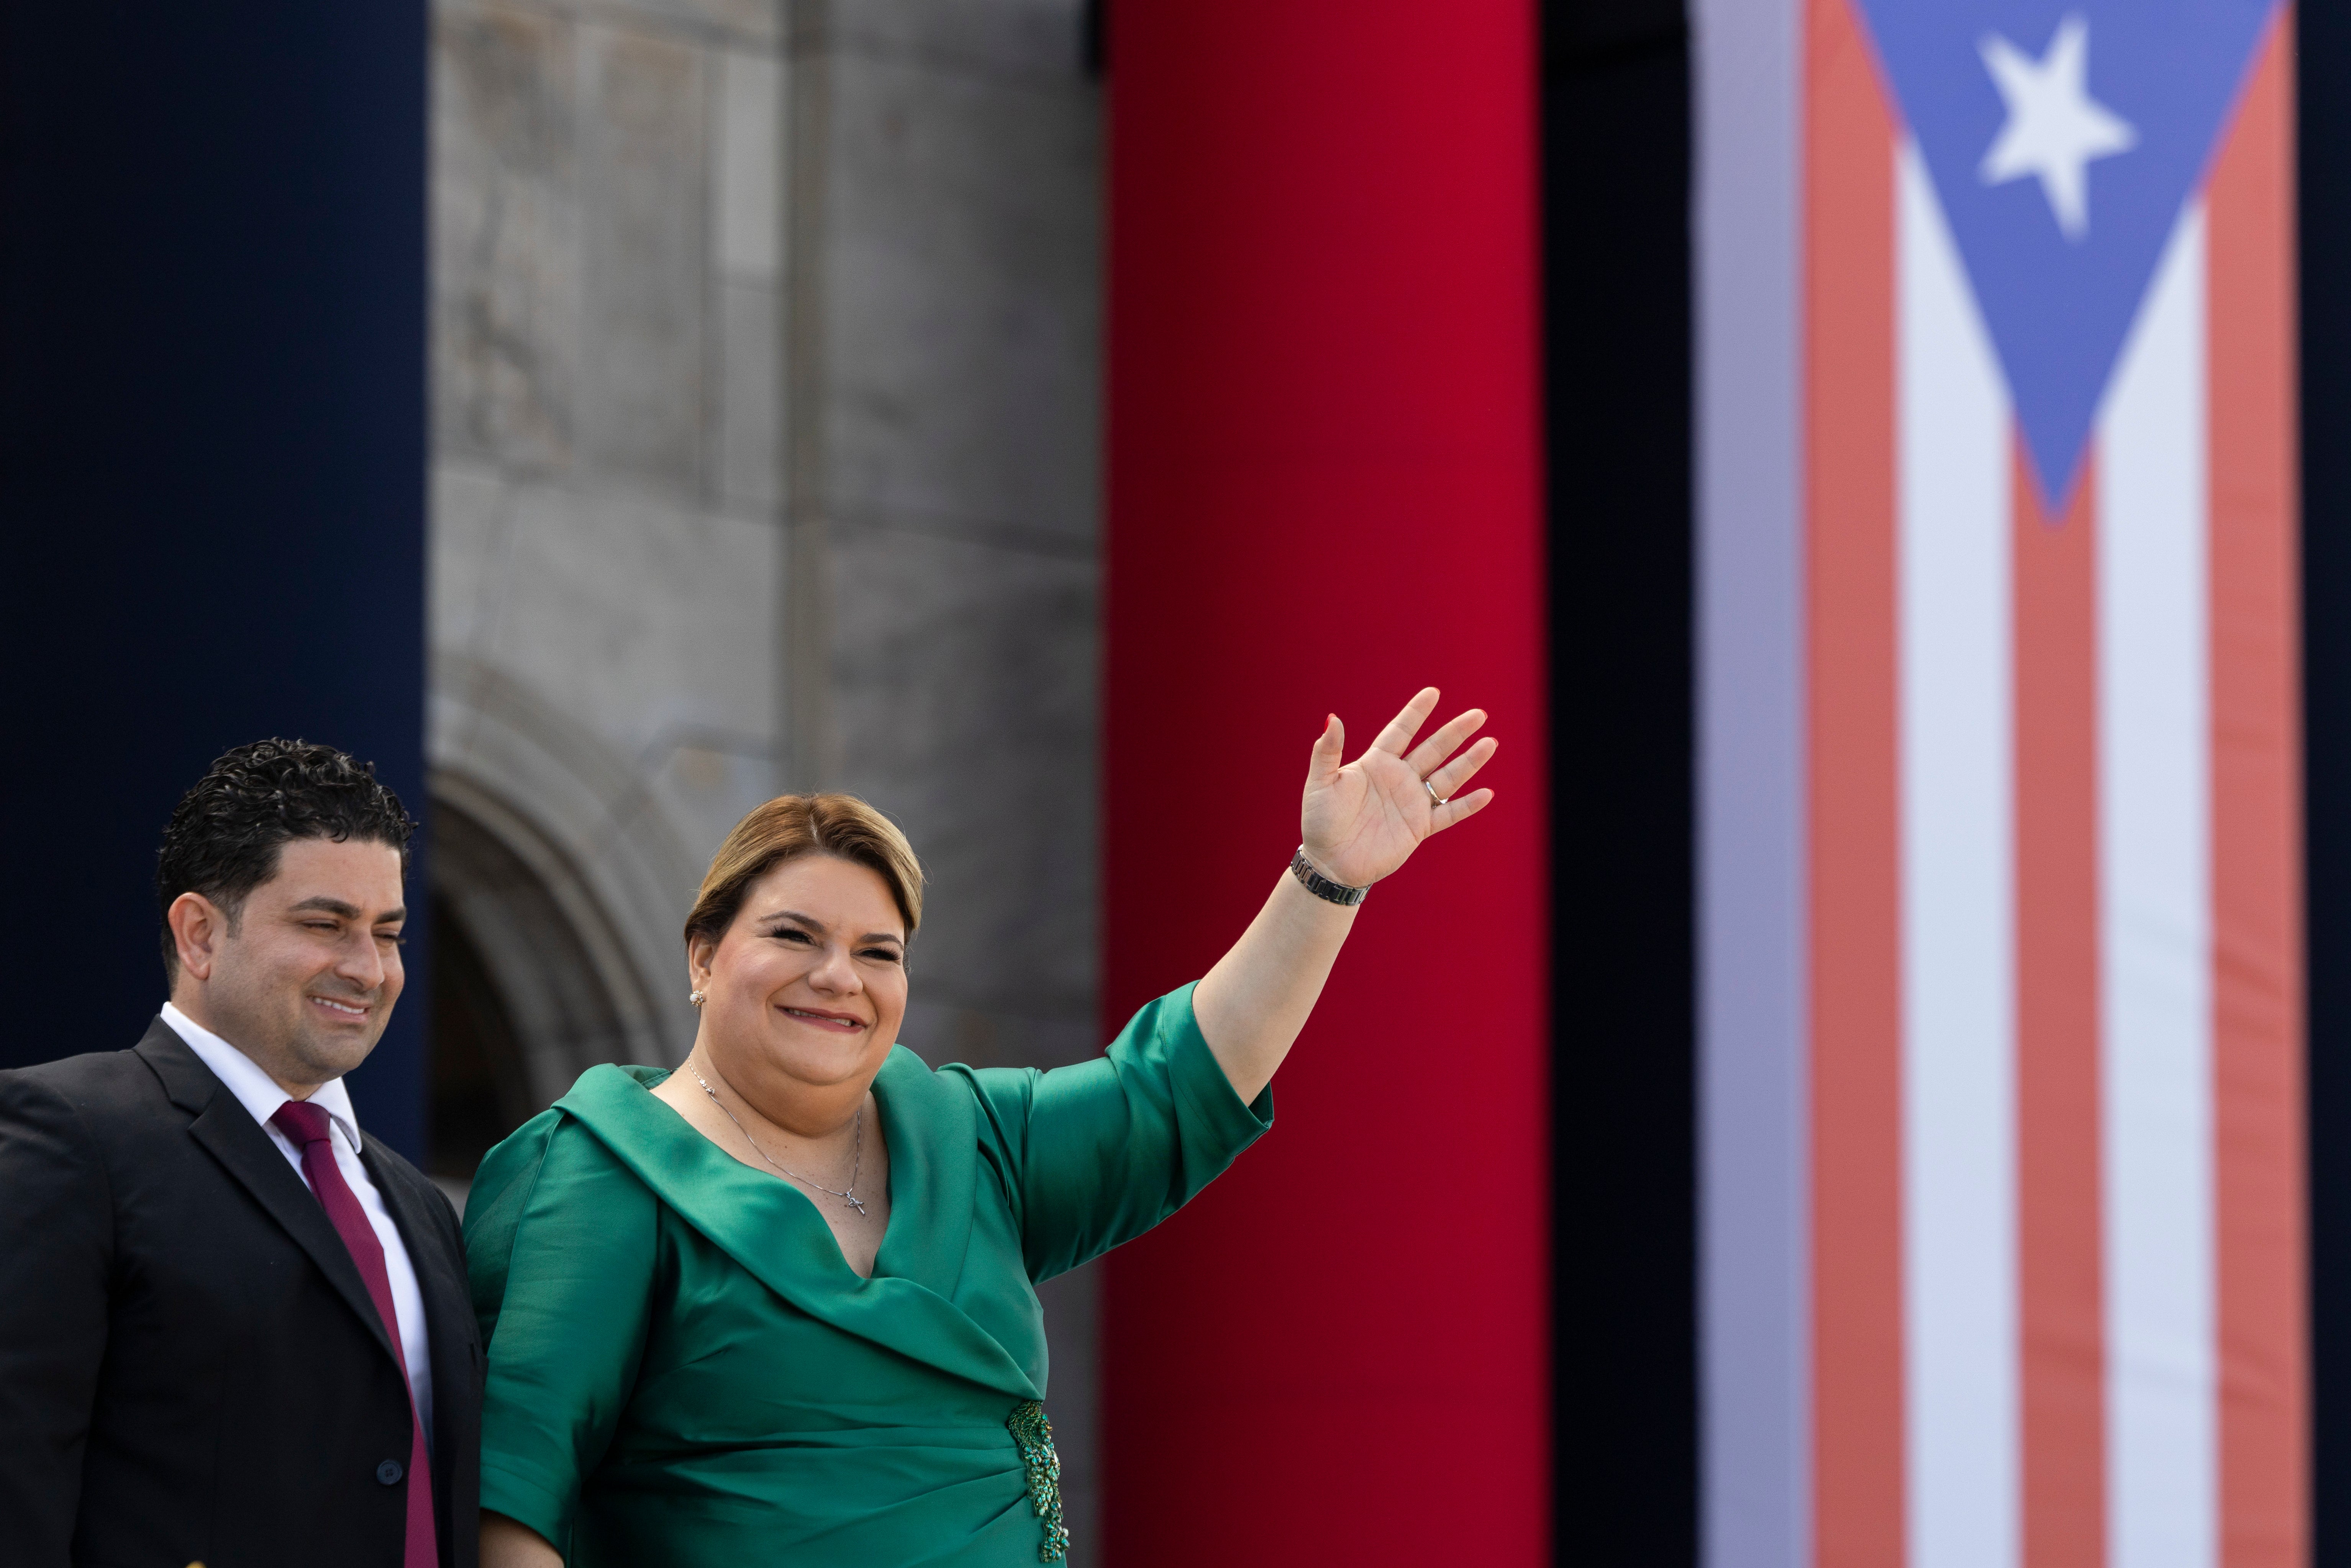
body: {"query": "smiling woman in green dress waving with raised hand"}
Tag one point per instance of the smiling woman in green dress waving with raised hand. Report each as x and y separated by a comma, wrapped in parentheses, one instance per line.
(779, 1306)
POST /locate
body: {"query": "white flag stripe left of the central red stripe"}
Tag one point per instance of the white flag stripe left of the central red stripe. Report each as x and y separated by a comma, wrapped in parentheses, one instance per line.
(1960, 1235)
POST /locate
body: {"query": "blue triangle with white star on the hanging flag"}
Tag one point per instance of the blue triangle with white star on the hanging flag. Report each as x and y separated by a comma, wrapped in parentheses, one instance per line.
(2063, 140)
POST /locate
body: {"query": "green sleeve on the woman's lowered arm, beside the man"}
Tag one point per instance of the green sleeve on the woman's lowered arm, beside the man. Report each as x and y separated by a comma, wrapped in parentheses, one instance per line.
(561, 1240)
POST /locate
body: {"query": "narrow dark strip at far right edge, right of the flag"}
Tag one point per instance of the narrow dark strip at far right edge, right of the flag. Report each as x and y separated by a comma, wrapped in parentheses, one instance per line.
(2326, 652)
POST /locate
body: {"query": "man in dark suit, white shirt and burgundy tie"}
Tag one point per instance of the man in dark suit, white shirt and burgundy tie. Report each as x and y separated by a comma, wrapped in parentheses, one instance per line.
(234, 1329)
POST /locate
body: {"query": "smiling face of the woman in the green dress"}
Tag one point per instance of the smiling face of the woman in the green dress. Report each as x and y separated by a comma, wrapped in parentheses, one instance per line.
(808, 989)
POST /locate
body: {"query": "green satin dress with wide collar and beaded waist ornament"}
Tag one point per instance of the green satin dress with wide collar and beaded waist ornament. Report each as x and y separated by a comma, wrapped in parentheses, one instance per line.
(685, 1372)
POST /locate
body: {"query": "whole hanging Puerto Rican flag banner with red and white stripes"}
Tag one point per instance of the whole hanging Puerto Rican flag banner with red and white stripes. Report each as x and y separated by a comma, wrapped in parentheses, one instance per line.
(2002, 958)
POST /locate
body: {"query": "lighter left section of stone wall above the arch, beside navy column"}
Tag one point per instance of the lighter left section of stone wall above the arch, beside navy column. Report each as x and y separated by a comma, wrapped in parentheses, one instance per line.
(608, 547)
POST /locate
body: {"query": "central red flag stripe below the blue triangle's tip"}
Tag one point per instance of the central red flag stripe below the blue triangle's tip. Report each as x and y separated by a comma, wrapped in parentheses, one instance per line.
(2058, 1036)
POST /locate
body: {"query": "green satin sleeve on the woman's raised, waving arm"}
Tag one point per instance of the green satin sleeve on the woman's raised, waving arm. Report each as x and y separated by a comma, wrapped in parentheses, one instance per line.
(1104, 1151)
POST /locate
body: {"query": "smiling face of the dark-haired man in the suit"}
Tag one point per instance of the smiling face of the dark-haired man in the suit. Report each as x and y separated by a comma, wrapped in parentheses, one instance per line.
(307, 977)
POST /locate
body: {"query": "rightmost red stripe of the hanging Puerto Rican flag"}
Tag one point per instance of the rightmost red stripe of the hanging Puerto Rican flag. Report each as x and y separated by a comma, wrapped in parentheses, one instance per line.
(2258, 831)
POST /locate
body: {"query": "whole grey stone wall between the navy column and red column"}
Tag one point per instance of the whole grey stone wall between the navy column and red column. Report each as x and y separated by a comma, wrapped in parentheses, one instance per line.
(765, 408)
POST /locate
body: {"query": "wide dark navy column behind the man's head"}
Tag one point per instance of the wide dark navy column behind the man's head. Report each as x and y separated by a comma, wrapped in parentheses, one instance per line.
(213, 453)
